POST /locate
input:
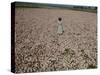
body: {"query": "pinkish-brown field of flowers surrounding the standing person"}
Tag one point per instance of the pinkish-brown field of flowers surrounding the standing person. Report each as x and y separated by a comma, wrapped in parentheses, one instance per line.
(38, 47)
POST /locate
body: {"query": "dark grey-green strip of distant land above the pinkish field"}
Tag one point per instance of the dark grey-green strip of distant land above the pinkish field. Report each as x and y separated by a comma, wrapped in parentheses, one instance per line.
(59, 6)
